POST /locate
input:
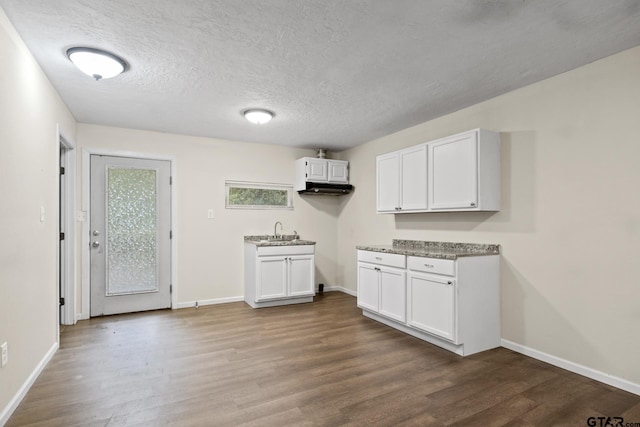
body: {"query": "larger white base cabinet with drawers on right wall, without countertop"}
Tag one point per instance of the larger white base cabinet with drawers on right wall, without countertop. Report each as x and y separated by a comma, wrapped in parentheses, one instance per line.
(454, 304)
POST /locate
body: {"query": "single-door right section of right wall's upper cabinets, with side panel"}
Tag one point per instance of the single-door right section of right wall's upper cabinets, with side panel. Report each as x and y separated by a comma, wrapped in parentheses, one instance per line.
(464, 172)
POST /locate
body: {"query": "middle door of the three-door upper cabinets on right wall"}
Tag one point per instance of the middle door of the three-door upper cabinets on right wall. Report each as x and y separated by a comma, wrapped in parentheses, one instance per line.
(413, 182)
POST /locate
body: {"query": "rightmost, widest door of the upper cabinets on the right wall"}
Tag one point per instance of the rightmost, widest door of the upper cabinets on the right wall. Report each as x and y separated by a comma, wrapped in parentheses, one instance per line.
(453, 172)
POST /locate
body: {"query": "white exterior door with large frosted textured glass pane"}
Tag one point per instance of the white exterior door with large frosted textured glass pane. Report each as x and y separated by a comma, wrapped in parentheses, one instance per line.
(130, 228)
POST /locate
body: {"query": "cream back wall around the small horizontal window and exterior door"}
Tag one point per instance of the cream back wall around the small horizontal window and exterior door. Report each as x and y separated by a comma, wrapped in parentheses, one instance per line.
(210, 251)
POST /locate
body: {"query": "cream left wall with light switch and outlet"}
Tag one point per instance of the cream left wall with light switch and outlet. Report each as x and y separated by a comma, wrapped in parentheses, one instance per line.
(30, 109)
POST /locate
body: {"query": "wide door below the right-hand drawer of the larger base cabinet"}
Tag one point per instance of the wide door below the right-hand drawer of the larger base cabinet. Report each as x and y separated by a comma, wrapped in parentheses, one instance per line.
(432, 305)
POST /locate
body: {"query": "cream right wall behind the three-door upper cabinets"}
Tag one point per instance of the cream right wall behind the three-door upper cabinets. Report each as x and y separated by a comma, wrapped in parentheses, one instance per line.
(570, 220)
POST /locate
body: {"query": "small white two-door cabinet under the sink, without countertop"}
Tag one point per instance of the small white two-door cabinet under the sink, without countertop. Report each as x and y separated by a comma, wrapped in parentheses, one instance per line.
(279, 275)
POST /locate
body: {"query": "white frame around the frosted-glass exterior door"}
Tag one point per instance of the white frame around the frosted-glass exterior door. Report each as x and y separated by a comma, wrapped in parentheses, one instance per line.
(86, 215)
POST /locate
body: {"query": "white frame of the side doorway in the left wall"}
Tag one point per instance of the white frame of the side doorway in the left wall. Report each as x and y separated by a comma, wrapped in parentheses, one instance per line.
(67, 257)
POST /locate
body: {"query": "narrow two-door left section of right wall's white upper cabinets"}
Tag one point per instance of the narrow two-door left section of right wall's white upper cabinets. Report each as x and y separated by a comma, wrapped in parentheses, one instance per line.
(402, 180)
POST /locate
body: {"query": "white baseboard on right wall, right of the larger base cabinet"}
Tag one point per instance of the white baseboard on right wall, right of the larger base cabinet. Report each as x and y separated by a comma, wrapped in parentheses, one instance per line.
(574, 367)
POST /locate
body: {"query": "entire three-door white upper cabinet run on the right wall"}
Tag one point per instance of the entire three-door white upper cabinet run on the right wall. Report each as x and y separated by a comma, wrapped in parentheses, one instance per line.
(457, 173)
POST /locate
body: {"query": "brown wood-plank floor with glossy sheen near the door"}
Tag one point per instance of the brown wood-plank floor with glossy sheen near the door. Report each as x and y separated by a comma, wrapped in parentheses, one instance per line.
(319, 364)
